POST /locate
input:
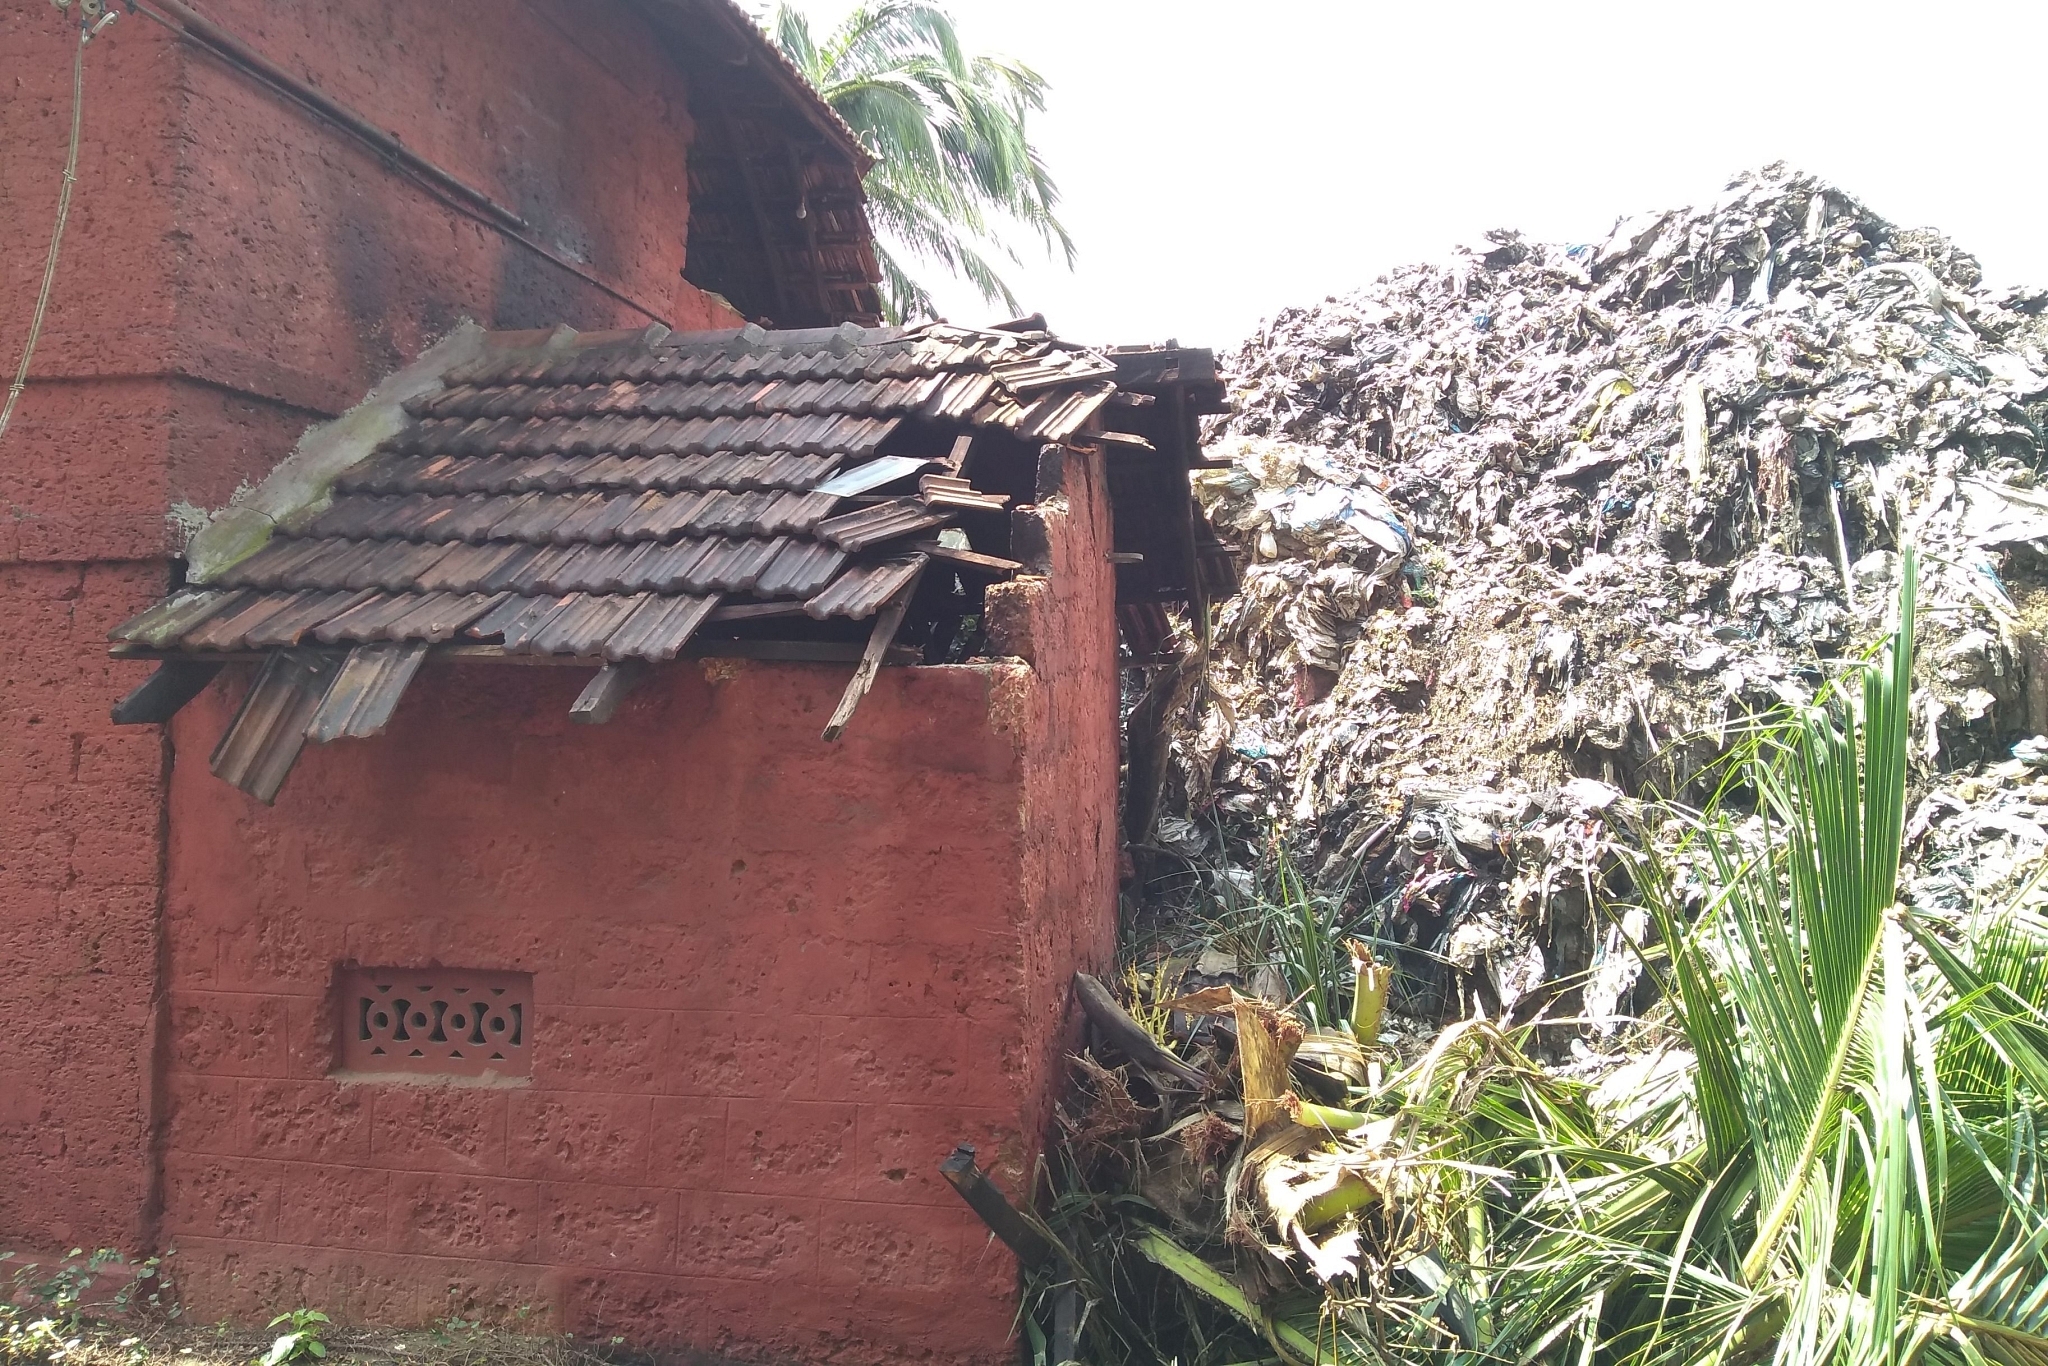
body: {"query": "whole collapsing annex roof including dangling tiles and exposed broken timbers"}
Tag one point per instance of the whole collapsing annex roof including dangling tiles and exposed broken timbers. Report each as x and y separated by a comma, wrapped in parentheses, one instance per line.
(624, 501)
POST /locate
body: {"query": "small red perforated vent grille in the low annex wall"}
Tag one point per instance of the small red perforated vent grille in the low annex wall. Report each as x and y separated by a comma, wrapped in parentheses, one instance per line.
(445, 1023)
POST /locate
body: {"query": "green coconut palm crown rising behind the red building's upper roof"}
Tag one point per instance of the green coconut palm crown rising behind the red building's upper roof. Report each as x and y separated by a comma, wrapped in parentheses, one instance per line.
(955, 165)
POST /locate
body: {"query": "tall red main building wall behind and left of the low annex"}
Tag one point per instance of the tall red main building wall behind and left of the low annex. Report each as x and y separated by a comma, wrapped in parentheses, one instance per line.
(232, 273)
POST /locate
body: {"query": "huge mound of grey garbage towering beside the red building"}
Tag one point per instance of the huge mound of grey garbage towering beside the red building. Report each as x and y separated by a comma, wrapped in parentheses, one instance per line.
(1541, 531)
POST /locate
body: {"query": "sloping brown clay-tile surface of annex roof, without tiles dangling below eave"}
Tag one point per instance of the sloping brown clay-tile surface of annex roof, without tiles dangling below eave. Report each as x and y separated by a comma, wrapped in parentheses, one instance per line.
(613, 501)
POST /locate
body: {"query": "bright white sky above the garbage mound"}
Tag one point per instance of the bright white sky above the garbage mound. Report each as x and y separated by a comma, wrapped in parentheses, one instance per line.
(1226, 161)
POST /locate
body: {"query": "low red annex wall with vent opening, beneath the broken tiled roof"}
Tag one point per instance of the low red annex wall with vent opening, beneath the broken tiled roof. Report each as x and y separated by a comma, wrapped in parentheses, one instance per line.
(775, 984)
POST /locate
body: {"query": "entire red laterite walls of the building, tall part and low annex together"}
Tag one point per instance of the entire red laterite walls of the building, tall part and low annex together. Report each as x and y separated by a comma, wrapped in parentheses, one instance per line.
(773, 980)
